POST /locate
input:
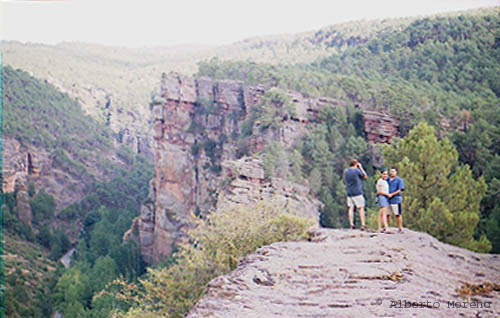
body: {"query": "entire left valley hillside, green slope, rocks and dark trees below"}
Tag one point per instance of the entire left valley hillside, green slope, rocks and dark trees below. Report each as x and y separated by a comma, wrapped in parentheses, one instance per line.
(72, 159)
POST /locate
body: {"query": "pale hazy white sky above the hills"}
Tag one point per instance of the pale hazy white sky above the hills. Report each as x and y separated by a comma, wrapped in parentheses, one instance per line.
(172, 22)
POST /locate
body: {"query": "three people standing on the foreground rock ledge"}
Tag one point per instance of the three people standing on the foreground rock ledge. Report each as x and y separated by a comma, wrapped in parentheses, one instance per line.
(389, 188)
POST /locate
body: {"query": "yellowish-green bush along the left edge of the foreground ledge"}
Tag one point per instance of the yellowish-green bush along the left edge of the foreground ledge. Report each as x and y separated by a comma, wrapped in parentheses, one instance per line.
(212, 248)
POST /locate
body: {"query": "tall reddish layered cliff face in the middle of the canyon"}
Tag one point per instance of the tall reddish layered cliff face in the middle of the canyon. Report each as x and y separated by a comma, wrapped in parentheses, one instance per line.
(196, 123)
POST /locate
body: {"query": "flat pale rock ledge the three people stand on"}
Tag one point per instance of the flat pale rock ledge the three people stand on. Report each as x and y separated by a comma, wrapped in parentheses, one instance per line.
(342, 273)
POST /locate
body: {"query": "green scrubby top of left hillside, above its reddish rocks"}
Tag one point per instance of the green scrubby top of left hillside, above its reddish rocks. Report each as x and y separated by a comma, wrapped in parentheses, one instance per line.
(36, 113)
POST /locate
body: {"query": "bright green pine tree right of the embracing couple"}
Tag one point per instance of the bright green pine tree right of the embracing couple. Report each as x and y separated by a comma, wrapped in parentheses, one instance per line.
(441, 197)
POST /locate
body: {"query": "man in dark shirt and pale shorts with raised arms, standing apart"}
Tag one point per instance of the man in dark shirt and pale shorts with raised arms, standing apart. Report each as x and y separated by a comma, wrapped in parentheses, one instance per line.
(353, 177)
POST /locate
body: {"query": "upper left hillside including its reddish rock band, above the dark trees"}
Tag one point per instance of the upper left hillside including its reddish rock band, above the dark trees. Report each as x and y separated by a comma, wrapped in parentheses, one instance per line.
(68, 150)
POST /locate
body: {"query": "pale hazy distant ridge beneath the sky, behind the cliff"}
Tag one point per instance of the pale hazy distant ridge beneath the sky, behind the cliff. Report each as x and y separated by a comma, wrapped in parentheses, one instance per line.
(127, 75)
